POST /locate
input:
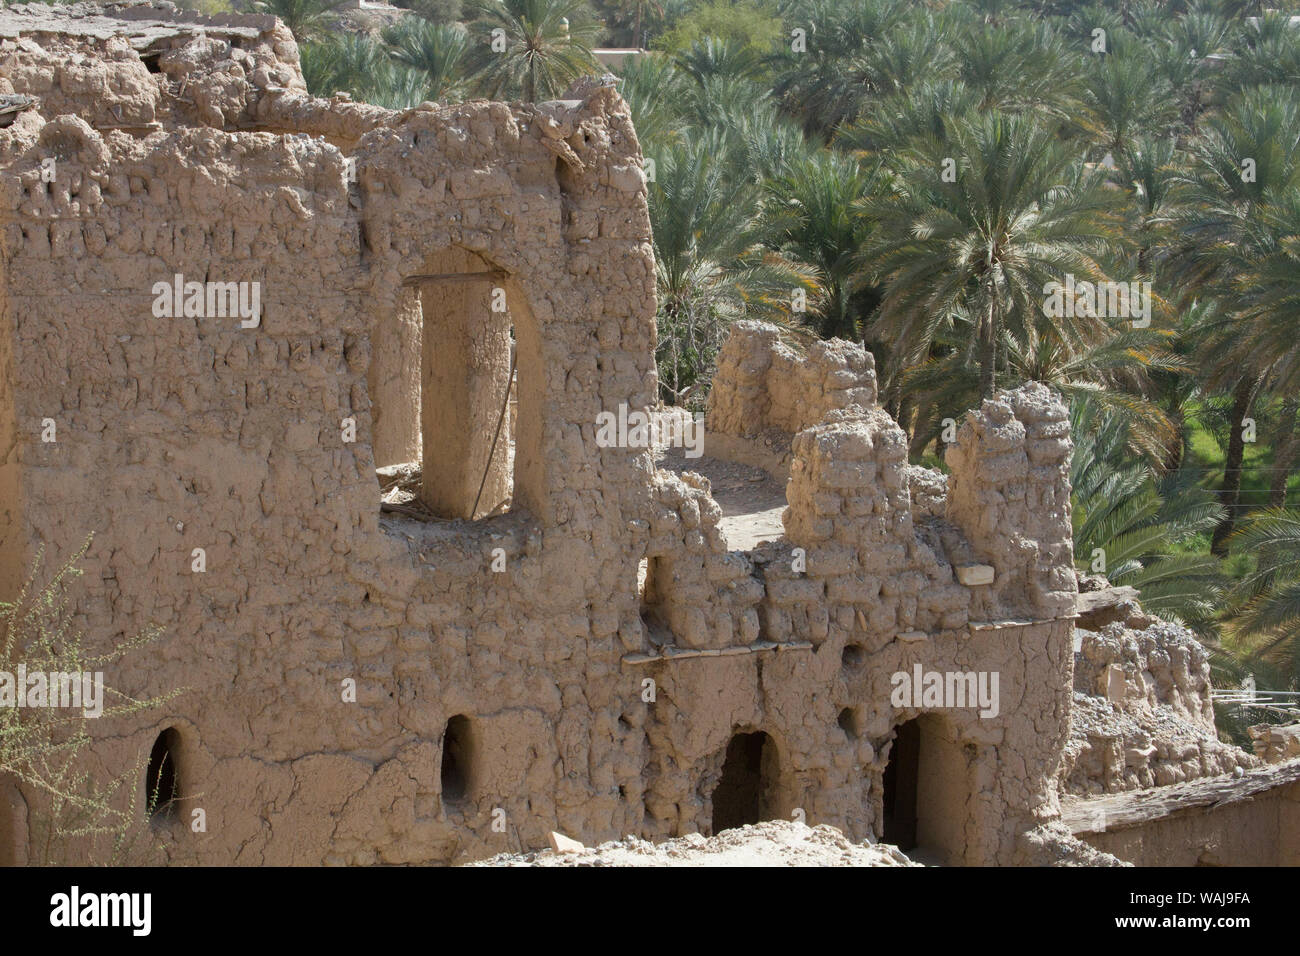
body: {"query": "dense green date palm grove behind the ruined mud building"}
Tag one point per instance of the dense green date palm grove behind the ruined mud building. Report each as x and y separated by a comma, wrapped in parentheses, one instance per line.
(918, 178)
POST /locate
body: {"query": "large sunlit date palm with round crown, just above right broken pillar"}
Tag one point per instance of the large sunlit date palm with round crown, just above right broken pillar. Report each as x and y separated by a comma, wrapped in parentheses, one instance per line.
(973, 232)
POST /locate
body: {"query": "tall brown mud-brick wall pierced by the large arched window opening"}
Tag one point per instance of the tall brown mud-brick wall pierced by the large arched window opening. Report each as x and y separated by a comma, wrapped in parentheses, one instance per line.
(181, 434)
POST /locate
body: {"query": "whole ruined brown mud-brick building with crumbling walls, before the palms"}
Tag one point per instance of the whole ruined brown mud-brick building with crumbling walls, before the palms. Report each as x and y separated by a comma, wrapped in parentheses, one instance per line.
(389, 478)
